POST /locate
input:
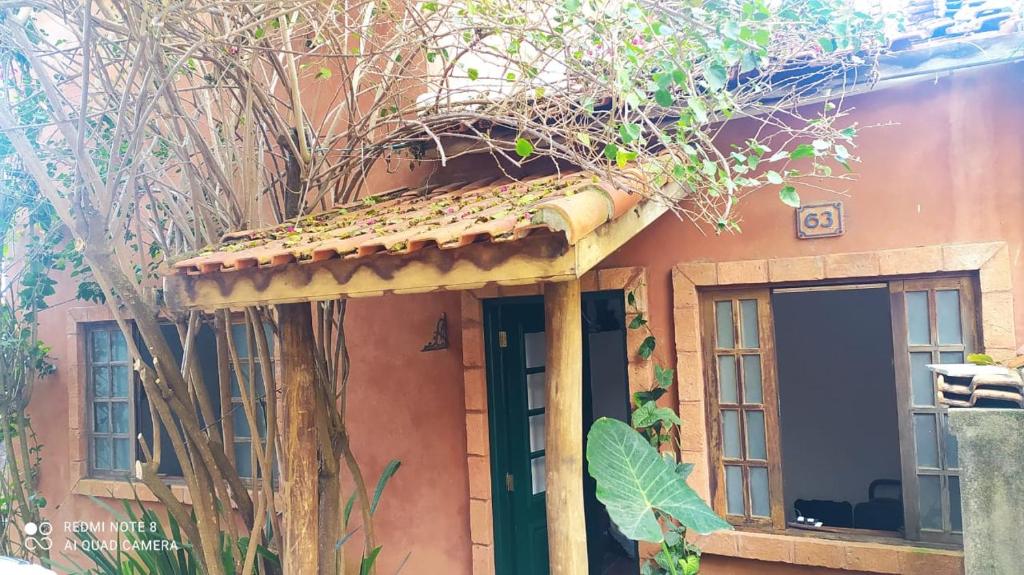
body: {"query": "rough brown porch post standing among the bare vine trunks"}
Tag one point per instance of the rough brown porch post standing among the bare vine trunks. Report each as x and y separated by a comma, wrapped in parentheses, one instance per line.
(302, 463)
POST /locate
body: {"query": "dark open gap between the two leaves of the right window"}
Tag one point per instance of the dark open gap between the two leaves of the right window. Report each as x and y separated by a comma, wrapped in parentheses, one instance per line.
(838, 401)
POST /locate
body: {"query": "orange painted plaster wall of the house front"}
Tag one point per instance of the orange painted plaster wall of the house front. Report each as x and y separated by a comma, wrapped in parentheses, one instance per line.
(952, 171)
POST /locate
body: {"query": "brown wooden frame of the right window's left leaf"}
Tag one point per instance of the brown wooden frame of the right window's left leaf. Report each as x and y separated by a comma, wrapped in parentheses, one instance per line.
(770, 392)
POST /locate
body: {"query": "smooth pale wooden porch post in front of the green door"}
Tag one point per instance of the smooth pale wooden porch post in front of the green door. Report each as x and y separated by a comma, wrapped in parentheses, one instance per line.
(564, 448)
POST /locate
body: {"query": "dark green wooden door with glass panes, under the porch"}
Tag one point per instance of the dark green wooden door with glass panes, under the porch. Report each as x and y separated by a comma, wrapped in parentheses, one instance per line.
(517, 355)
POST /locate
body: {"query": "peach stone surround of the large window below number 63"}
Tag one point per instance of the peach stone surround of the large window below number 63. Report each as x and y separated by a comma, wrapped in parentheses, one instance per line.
(991, 261)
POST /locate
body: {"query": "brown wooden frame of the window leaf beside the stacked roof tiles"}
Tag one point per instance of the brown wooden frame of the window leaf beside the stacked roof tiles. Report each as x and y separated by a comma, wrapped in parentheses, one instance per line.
(903, 349)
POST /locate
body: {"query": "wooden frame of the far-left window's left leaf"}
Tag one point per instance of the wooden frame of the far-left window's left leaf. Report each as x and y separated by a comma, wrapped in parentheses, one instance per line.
(92, 400)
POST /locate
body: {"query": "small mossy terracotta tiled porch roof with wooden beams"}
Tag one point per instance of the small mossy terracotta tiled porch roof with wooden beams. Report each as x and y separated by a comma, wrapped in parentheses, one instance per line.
(453, 238)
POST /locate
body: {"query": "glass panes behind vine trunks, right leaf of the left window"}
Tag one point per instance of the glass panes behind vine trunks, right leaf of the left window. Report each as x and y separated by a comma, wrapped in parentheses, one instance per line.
(249, 374)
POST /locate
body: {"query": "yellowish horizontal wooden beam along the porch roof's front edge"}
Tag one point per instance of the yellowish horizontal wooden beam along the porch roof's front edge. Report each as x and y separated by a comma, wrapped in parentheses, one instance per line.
(538, 258)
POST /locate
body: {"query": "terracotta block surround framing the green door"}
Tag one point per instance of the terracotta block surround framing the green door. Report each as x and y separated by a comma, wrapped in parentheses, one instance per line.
(641, 375)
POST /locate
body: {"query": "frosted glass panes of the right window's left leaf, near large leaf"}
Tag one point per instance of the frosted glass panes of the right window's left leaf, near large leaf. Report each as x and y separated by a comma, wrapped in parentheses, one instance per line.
(744, 409)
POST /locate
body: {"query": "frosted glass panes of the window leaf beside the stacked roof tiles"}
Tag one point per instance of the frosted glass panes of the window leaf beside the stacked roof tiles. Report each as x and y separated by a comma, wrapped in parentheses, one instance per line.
(940, 330)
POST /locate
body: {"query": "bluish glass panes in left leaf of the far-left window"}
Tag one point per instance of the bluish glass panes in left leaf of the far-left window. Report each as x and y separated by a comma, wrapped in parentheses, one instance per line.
(112, 451)
